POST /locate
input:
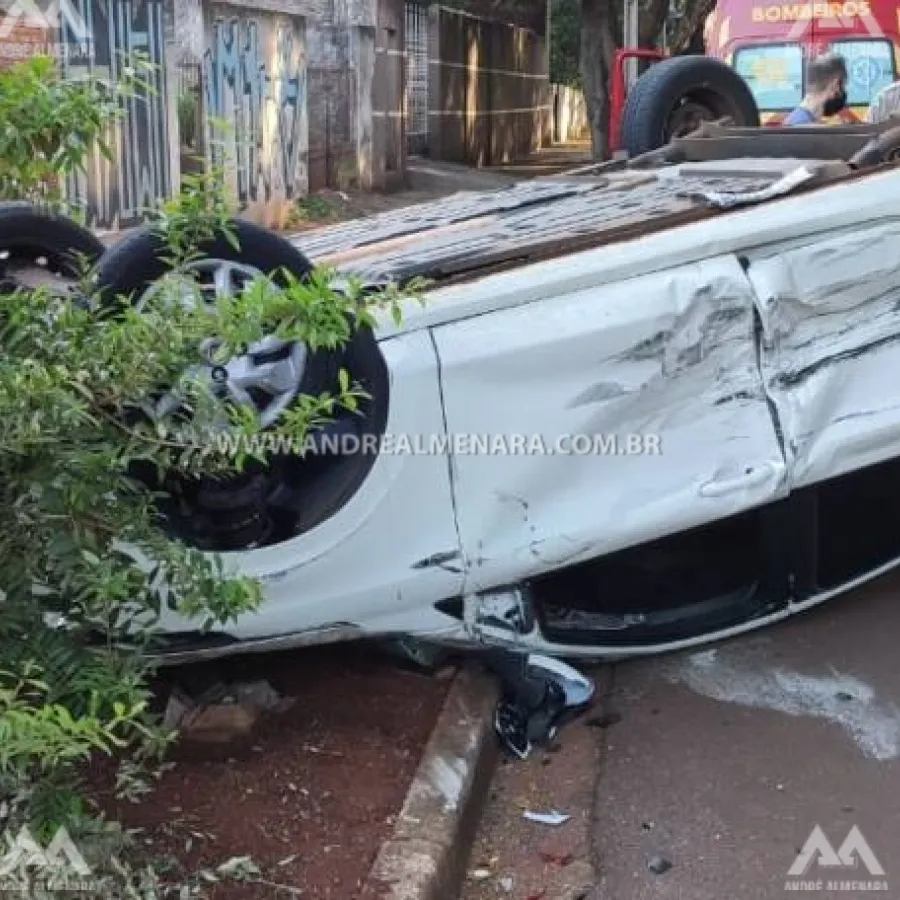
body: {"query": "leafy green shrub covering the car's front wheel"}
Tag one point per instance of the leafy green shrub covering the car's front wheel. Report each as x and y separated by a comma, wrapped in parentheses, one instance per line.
(85, 569)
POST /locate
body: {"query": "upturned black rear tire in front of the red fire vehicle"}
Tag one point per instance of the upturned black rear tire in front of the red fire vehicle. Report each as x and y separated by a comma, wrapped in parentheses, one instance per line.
(687, 86)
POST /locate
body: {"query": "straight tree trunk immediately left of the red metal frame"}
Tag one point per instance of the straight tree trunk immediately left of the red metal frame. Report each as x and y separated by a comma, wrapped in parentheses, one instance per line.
(597, 49)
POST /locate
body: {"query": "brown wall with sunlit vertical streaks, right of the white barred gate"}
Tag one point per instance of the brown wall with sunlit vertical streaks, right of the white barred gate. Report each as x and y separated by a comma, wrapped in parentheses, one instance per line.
(489, 89)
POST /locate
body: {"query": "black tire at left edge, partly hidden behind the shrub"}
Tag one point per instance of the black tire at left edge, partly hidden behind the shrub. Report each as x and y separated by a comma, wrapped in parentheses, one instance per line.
(29, 232)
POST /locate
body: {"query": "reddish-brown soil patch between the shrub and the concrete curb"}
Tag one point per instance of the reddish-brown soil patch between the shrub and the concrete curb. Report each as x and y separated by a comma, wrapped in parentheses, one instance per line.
(317, 787)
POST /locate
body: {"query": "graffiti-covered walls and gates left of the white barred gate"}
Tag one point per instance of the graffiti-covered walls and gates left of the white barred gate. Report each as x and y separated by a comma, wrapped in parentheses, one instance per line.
(311, 91)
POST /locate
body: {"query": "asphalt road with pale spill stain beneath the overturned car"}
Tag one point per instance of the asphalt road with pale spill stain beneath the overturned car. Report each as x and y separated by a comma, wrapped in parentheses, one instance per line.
(725, 760)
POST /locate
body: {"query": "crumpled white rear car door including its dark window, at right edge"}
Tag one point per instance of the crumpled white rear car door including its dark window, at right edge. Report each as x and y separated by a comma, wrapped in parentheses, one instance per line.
(830, 350)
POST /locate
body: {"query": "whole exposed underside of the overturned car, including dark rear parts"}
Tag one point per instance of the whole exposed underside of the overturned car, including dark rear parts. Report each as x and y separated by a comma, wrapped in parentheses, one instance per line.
(470, 234)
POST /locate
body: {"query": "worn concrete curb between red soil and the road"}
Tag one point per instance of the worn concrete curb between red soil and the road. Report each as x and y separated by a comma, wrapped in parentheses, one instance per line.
(425, 858)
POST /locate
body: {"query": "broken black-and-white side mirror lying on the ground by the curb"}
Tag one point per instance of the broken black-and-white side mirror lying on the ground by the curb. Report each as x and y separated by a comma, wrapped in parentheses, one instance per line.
(538, 695)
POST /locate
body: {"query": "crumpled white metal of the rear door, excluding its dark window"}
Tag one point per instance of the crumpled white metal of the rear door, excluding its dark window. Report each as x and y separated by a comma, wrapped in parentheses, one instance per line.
(830, 309)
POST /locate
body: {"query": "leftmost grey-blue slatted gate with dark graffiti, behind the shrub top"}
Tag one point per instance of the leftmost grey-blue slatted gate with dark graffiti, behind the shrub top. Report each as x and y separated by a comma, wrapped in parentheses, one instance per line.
(121, 190)
